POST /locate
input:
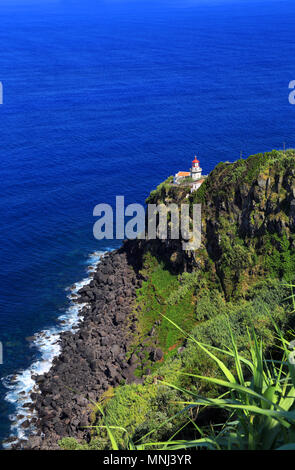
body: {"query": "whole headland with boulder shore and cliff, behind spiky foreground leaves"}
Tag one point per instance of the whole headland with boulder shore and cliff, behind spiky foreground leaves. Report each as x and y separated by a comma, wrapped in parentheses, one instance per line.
(248, 225)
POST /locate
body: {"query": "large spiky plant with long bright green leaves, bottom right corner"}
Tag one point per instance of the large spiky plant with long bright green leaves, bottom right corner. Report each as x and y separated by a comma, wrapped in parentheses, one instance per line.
(259, 396)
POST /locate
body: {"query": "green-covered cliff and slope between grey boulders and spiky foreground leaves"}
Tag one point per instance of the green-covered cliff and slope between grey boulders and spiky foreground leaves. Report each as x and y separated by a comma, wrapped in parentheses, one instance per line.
(231, 282)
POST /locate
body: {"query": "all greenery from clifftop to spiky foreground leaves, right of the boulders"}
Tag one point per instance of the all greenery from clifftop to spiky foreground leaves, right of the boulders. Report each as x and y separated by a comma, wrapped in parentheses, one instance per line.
(214, 298)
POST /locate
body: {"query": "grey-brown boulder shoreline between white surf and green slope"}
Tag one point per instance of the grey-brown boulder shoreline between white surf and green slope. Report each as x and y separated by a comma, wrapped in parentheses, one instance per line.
(92, 358)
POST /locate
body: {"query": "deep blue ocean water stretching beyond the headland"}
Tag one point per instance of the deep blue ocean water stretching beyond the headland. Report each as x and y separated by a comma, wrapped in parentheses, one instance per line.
(106, 98)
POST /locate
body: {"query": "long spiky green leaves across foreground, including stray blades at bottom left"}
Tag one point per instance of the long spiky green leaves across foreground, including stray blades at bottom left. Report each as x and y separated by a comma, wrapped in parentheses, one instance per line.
(258, 395)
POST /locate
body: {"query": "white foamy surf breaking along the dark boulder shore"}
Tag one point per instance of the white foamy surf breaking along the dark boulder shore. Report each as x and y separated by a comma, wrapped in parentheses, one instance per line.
(22, 384)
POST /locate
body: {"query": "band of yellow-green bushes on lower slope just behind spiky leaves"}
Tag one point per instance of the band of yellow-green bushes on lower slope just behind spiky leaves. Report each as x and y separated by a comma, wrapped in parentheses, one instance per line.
(153, 412)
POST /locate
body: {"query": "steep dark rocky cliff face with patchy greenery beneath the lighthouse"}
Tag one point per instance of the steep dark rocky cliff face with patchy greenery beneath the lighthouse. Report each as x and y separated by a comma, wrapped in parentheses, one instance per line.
(248, 221)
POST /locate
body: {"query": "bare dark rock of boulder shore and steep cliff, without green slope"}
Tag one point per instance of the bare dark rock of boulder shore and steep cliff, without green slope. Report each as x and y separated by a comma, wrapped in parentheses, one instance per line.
(248, 226)
